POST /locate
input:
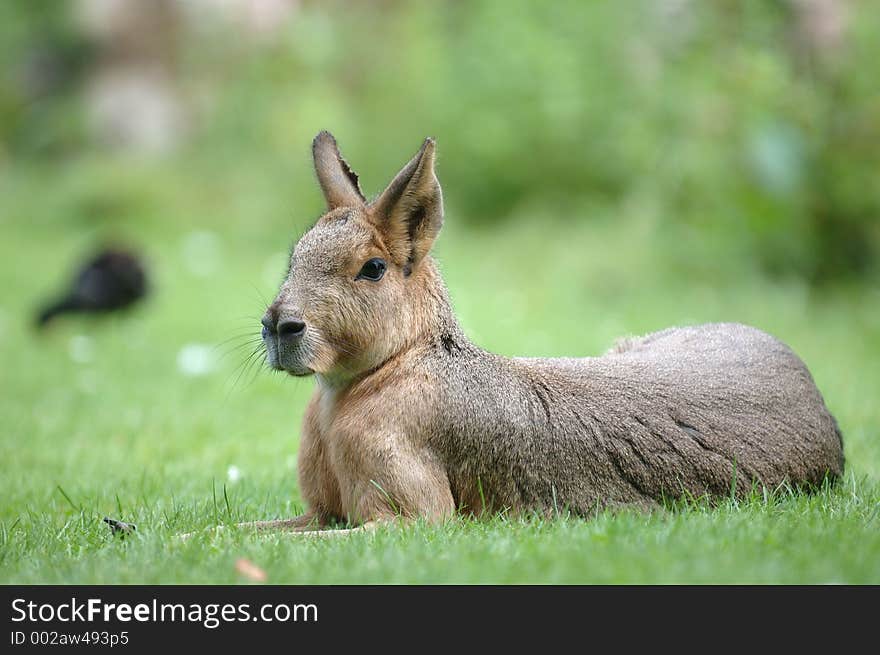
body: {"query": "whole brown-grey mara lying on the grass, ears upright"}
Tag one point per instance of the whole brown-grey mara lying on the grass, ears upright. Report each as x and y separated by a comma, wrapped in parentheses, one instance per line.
(409, 418)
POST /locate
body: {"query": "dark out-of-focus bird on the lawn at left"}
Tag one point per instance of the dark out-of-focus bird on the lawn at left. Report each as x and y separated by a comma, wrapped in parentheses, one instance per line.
(111, 280)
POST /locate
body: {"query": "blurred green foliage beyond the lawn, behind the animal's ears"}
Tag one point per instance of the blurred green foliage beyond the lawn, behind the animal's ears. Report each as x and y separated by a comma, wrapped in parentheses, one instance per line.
(746, 130)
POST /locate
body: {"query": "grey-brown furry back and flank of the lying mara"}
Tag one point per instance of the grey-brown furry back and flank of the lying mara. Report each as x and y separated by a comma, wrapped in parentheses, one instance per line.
(685, 411)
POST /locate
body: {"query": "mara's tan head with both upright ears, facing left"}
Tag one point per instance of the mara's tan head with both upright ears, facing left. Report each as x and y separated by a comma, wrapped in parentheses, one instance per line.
(355, 290)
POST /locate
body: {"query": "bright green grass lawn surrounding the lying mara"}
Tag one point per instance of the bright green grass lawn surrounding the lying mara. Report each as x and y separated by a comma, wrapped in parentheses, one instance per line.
(97, 418)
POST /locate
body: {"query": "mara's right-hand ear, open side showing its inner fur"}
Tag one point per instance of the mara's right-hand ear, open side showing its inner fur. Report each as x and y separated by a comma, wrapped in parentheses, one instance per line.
(409, 213)
